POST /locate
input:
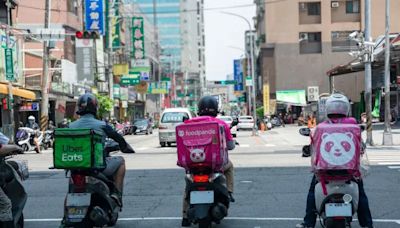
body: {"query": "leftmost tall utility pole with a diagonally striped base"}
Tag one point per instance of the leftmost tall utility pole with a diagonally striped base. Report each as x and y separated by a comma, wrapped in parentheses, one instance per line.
(44, 117)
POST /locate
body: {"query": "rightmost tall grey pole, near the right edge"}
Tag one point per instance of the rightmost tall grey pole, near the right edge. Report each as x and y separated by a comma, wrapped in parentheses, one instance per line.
(387, 133)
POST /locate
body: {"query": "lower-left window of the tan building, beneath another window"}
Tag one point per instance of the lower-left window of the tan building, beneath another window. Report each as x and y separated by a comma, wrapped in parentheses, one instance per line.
(310, 42)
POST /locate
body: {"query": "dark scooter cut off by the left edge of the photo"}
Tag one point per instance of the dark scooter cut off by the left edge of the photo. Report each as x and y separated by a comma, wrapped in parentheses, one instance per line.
(12, 173)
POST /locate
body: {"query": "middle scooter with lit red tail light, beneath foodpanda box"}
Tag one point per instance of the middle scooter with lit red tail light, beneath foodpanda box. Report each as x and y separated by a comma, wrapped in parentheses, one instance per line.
(207, 195)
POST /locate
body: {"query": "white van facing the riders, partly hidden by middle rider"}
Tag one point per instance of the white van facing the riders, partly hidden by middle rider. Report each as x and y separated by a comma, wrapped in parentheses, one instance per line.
(170, 118)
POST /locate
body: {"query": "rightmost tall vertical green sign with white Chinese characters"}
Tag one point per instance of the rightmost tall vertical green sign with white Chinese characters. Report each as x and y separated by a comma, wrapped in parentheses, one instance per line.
(138, 38)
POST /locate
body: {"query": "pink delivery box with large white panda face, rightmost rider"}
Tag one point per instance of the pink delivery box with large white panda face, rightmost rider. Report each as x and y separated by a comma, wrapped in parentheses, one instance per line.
(336, 150)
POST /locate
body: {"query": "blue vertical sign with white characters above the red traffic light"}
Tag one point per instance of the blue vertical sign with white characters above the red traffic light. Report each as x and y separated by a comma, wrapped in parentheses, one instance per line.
(94, 16)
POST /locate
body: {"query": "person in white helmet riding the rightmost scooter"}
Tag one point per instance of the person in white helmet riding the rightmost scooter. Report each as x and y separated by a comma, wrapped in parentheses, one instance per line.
(337, 111)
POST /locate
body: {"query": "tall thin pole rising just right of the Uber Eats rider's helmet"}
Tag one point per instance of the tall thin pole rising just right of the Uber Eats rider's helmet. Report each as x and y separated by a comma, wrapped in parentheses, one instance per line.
(110, 55)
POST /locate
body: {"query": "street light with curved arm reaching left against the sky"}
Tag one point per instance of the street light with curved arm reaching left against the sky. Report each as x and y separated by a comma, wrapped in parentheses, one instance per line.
(251, 34)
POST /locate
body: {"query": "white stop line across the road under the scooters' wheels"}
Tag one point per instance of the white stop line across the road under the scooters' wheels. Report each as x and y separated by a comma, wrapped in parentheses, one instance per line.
(228, 218)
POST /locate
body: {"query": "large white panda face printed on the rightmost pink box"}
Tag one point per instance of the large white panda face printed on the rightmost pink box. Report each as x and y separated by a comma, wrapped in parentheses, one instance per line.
(337, 148)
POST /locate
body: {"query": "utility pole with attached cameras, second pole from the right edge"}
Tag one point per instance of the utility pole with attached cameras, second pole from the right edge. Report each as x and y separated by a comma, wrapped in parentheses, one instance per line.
(368, 72)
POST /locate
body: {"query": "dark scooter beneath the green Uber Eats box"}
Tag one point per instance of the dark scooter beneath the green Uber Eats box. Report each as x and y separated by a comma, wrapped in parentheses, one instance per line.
(88, 202)
